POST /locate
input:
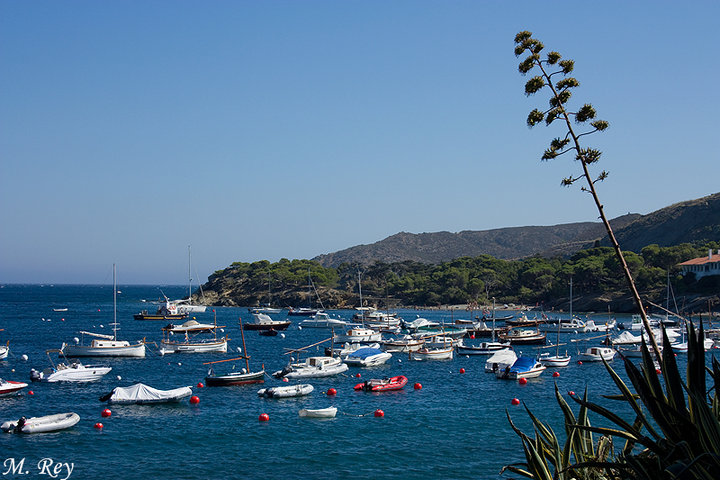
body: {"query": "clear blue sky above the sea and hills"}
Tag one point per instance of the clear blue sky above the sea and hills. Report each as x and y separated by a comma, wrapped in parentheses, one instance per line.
(250, 130)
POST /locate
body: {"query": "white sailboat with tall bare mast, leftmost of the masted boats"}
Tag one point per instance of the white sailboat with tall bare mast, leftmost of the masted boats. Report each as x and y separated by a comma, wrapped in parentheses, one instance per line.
(105, 345)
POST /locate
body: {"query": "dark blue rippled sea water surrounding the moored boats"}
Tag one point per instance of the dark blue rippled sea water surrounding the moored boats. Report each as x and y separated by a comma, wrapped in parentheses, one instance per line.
(455, 427)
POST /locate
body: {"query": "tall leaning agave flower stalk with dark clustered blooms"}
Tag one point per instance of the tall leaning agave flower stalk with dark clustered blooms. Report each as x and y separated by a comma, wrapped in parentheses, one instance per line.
(554, 76)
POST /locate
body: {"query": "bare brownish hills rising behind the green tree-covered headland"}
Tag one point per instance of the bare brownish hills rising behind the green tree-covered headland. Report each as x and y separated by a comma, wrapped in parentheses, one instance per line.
(686, 222)
